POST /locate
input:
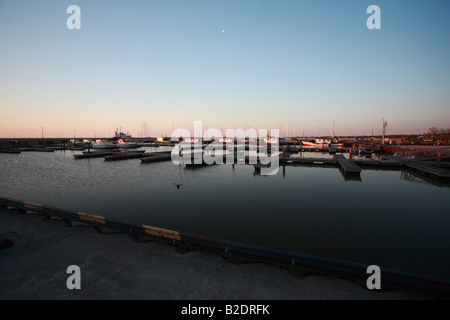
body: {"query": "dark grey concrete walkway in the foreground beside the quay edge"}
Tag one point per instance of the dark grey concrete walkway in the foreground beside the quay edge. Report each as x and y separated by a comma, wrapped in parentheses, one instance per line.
(114, 266)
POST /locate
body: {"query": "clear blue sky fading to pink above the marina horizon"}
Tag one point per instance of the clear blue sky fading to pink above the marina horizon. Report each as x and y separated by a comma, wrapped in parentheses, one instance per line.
(298, 66)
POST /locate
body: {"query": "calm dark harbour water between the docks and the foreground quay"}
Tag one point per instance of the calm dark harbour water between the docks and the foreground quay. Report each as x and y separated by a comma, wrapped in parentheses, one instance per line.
(383, 219)
